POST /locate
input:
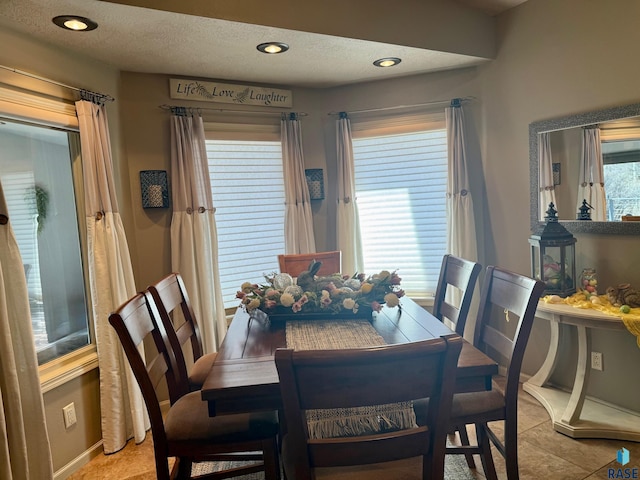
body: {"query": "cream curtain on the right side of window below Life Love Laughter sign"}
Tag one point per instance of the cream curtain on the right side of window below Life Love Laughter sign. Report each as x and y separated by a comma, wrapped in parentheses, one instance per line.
(298, 223)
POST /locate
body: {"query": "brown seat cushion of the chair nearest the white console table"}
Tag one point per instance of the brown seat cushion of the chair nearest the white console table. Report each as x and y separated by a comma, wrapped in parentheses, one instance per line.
(465, 405)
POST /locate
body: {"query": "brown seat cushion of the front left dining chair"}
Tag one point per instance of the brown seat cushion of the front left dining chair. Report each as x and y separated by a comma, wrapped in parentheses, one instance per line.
(188, 419)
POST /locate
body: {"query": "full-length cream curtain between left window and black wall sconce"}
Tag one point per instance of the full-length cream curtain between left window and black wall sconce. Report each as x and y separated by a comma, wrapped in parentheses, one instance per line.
(111, 279)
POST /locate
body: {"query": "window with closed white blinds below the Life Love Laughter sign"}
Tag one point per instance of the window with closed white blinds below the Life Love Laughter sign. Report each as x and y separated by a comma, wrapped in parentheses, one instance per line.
(248, 193)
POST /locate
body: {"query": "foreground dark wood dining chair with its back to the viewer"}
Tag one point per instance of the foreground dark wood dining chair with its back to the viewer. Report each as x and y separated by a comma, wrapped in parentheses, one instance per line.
(327, 379)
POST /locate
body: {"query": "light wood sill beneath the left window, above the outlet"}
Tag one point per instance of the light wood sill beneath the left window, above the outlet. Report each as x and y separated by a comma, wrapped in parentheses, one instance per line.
(66, 368)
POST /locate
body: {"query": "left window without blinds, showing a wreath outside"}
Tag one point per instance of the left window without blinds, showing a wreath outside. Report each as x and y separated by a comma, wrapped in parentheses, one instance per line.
(37, 179)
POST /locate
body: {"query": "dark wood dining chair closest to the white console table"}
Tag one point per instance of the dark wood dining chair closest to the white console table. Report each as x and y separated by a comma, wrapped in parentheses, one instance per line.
(507, 310)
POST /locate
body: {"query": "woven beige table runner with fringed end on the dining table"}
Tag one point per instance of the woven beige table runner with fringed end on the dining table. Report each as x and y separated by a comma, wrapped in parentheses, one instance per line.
(337, 334)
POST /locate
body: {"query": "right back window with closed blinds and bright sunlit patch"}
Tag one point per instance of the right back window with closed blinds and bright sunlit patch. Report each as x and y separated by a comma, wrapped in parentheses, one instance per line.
(401, 180)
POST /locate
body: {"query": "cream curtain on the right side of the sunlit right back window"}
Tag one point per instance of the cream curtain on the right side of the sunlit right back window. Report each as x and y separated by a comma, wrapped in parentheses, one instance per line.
(461, 226)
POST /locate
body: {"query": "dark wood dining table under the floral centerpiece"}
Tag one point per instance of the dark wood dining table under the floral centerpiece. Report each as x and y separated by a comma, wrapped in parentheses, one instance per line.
(244, 378)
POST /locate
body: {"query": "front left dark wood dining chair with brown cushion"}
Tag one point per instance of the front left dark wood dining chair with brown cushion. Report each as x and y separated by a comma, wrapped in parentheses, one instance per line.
(187, 432)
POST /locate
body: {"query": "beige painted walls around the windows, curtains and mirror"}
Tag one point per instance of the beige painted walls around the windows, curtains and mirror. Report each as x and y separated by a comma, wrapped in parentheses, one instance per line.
(554, 59)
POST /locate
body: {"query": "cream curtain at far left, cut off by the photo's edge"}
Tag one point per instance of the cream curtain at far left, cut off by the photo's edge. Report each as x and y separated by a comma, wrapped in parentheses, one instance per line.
(24, 442)
